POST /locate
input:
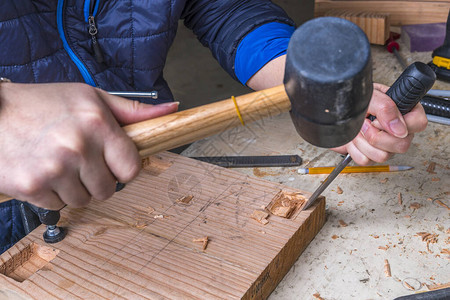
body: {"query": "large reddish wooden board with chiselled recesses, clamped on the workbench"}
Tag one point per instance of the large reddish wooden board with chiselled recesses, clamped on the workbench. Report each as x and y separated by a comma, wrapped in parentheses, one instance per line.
(139, 243)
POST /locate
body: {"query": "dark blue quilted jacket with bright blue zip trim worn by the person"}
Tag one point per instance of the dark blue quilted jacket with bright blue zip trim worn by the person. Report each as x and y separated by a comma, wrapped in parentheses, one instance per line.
(114, 45)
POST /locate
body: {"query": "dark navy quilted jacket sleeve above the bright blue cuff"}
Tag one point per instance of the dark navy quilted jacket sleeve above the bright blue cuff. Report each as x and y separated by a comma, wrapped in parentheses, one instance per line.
(222, 24)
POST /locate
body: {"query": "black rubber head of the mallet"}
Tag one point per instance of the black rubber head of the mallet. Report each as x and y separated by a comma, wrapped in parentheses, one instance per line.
(328, 79)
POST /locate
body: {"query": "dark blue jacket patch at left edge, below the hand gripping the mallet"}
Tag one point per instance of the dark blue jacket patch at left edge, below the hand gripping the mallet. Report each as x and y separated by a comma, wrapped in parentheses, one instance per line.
(11, 227)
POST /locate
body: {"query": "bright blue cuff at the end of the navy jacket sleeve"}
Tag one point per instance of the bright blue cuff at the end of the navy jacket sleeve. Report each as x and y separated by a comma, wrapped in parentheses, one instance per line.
(260, 46)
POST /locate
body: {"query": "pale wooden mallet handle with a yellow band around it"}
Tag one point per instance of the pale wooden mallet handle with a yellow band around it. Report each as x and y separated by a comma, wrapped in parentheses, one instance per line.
(184, 127)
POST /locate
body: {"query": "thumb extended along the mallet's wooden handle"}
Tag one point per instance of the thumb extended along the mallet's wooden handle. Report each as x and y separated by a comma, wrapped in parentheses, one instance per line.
(130, 111)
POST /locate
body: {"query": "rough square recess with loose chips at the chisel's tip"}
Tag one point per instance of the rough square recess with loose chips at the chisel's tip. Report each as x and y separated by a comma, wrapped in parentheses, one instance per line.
(286, 204)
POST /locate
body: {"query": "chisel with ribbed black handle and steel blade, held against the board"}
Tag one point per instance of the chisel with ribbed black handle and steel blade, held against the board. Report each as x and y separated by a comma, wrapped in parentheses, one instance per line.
(406, 92)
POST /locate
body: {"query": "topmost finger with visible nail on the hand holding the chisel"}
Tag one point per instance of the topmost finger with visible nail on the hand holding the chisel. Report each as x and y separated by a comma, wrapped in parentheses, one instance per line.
(385, 110)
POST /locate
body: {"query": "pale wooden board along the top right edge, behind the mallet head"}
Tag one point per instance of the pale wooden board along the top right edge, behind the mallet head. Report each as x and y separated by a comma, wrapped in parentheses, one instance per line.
(401, 12)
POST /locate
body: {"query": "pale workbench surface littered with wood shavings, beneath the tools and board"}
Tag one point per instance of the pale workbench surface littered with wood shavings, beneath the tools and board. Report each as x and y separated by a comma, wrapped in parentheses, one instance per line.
(366, 223)
